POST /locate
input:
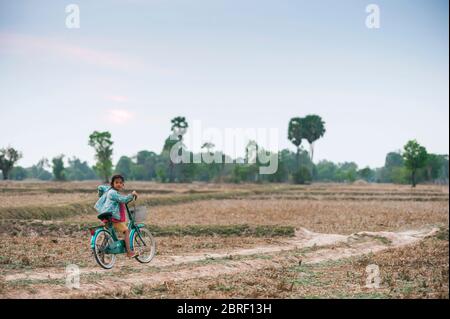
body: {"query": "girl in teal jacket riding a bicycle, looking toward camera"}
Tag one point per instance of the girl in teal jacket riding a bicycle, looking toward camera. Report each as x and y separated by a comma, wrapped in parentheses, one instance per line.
(112, 202)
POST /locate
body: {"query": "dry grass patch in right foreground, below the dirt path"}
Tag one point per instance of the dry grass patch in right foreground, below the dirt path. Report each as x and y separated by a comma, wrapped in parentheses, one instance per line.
(420, 271)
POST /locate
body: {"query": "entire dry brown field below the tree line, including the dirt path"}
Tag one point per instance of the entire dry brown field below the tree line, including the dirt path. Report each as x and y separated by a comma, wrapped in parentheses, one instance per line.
(218, 240)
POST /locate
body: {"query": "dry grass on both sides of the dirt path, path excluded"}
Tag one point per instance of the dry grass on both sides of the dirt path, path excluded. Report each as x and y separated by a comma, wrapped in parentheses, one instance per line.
(420, 271)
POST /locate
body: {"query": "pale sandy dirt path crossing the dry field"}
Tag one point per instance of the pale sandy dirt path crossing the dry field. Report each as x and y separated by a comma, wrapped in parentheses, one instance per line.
(223, 263)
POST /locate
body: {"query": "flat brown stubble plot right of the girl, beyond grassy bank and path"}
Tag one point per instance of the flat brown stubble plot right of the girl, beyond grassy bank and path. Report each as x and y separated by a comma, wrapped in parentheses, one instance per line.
(322, 216)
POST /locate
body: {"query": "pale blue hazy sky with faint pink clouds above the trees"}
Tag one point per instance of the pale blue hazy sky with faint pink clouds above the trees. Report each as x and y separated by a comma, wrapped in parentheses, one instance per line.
(133, 65)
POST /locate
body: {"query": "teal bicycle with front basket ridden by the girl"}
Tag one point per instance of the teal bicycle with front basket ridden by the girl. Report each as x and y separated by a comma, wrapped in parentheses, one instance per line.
(106, 245)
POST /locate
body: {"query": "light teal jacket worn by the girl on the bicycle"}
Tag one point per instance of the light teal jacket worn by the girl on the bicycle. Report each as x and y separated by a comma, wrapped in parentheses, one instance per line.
(109, 200)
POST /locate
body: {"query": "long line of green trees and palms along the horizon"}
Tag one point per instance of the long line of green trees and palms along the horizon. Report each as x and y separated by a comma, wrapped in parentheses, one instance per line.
(411, 165)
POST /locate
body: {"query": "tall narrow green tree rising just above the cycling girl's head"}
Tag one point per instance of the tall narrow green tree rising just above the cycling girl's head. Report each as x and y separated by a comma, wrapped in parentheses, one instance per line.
(102, 143)
